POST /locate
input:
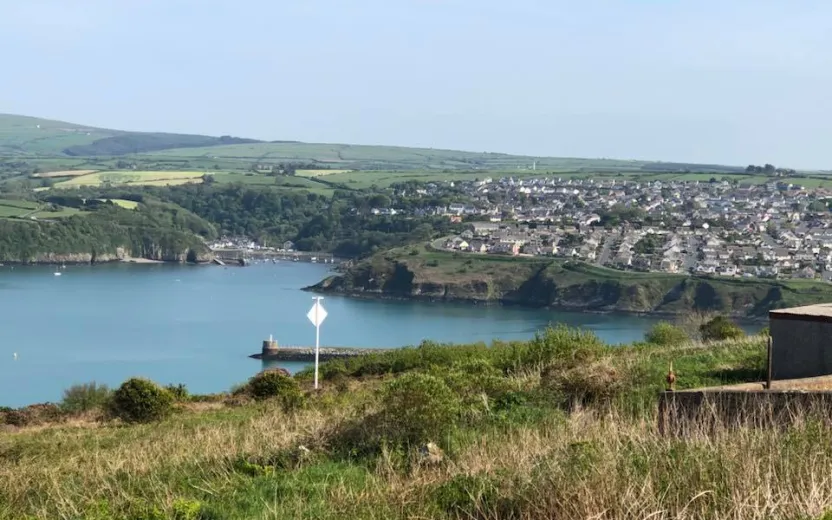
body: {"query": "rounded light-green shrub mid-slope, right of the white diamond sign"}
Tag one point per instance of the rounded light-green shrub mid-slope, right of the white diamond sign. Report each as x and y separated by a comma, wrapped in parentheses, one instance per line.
(417, 408)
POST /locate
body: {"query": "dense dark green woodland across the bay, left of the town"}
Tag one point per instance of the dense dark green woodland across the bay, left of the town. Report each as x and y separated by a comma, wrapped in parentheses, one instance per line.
(176, 220)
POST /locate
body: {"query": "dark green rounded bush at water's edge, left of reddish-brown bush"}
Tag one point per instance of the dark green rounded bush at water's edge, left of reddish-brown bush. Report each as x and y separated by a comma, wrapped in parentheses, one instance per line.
(139, 400)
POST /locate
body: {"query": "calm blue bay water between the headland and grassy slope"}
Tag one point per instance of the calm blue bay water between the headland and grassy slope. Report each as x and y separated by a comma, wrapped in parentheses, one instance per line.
(197, 325)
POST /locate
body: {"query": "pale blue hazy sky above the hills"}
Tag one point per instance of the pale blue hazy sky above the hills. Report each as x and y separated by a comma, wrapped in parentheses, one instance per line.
(713, 81)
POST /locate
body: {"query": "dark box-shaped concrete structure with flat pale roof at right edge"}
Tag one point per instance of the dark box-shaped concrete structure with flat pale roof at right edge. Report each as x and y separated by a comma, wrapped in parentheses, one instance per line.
(801, 342)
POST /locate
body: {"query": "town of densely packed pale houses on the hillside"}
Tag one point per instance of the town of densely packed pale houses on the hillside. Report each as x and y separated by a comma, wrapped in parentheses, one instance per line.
(716, 227)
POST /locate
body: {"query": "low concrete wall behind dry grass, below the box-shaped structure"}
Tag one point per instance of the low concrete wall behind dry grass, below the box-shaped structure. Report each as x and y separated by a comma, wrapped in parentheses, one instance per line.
(692, 413)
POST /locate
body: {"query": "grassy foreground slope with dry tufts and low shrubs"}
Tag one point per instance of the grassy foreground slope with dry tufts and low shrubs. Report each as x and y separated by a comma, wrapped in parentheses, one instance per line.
(558, 427)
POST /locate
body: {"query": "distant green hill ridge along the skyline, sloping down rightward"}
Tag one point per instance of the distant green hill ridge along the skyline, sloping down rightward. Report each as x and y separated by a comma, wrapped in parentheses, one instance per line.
(22, 136)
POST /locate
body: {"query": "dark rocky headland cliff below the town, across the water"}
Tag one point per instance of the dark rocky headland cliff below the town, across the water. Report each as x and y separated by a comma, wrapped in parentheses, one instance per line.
(562, 285)
